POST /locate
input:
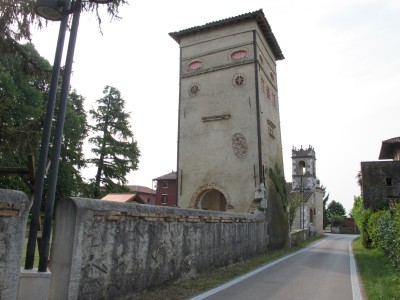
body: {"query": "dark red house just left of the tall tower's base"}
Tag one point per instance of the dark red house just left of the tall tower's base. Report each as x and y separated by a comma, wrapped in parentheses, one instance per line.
(166, 190)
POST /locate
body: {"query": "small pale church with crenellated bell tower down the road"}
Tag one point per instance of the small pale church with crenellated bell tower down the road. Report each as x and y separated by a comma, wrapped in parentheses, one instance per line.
(305, 185)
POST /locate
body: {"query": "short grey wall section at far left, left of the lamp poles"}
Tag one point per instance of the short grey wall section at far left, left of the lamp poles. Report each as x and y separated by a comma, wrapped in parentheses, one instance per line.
(14, 209)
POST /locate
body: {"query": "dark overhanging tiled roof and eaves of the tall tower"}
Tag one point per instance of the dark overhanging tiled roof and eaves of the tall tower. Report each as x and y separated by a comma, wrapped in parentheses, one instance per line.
(258, 16)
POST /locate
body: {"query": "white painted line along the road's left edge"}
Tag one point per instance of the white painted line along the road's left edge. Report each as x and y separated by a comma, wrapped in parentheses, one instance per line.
(247, 275)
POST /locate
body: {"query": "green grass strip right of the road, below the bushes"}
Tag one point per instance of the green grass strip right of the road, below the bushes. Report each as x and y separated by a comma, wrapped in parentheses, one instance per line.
(379, 278)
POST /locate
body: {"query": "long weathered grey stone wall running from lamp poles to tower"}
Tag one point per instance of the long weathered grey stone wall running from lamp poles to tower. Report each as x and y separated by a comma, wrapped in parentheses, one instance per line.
(110, 250)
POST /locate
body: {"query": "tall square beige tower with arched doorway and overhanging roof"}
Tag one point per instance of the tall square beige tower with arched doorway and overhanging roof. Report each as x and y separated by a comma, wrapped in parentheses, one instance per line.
(229, 135)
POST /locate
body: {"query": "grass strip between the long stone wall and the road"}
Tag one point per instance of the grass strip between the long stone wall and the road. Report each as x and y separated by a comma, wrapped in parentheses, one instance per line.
(194, 286)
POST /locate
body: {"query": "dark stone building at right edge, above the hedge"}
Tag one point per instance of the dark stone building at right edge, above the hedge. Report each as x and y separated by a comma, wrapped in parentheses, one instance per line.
(381, 179)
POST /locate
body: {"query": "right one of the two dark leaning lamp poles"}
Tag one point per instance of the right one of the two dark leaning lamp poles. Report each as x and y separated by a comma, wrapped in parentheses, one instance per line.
(44, 253)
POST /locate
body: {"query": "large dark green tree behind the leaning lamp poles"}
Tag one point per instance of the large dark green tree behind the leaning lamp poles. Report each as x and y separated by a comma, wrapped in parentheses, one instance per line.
(23, 102)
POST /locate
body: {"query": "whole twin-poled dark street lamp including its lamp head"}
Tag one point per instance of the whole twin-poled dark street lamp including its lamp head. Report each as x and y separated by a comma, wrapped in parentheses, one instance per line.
(54, 10)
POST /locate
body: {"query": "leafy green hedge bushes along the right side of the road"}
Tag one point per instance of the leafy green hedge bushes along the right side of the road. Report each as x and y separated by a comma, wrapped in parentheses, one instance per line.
(380, 229)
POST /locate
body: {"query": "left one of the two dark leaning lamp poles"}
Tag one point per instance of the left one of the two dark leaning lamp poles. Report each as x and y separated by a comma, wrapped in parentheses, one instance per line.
(41, 171)
